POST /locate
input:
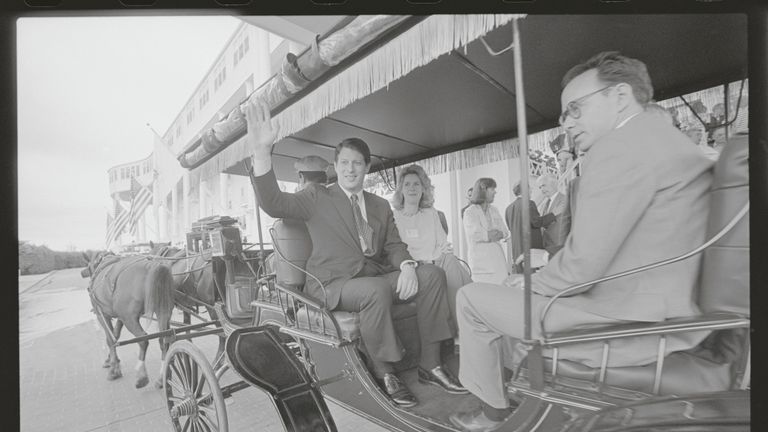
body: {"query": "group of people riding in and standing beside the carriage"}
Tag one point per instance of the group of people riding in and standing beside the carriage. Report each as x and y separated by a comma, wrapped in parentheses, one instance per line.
(642, 195)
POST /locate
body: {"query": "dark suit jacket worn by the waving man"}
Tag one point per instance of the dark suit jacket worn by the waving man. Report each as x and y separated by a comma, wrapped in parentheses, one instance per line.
(336, 252)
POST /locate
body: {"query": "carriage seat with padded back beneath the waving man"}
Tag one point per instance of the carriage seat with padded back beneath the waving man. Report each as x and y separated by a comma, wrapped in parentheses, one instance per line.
(292, 240)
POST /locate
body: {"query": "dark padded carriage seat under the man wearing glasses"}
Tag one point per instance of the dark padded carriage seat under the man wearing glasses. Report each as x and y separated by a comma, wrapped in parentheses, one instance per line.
(723, 294)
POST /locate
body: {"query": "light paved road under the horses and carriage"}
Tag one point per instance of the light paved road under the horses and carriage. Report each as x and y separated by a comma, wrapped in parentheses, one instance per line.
(64, 388)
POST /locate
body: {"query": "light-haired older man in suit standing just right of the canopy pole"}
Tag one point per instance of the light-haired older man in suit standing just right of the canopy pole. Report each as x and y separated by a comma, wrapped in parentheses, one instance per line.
(556, 202)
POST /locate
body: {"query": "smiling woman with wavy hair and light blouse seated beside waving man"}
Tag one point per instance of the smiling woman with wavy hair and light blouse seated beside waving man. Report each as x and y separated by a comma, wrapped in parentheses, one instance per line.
(420, 228)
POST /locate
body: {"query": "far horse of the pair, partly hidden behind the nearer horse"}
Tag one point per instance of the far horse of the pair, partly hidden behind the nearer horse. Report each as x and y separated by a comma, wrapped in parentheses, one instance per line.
(193, 281)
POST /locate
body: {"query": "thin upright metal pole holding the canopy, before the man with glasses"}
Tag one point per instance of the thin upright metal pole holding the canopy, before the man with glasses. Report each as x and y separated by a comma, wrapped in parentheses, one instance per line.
(522, 133)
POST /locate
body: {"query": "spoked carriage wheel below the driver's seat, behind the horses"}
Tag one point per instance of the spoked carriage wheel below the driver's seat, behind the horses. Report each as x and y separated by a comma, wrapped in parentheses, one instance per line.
(194, 397)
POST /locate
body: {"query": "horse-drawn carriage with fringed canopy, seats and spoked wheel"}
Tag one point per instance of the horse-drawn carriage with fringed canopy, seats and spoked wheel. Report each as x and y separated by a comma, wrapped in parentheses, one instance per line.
(288, 344)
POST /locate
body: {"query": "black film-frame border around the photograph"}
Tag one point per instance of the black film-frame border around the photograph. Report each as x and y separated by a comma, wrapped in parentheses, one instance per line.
(10, 10)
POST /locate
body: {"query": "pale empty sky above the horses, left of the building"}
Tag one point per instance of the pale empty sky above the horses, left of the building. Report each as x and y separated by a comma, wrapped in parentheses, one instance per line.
(87, 87)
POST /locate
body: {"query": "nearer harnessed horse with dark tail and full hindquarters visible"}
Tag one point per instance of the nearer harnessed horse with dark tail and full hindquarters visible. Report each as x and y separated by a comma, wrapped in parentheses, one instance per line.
(127, 288)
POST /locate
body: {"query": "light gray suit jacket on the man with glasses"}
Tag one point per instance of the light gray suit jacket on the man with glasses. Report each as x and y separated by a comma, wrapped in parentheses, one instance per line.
(643, 197)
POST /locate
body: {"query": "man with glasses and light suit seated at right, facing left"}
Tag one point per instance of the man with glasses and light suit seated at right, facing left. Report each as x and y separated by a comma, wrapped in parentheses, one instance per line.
(646, 189)
